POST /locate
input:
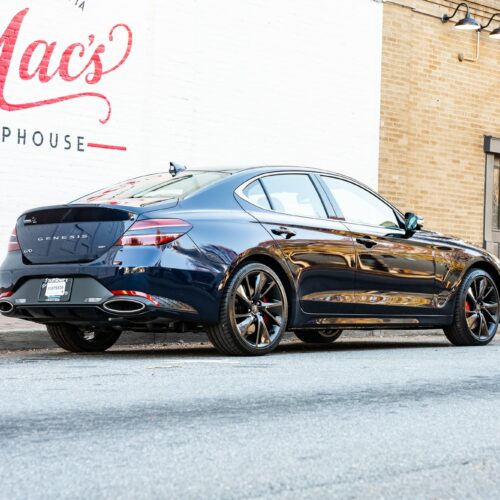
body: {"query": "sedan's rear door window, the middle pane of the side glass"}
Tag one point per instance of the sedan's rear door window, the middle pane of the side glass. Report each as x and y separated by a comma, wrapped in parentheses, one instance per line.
(294, 194)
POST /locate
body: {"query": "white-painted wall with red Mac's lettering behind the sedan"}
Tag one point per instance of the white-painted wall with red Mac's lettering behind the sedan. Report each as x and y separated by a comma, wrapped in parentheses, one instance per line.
(212, 82)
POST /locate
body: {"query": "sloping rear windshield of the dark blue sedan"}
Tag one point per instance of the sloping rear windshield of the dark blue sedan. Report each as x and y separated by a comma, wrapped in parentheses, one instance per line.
(153, 188)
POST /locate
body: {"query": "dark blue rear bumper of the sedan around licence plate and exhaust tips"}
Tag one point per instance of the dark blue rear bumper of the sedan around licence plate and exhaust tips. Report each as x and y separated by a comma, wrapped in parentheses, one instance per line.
(183, 280)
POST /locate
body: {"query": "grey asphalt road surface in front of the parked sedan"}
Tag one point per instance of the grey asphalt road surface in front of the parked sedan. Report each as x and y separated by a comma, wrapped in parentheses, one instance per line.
(360, 419)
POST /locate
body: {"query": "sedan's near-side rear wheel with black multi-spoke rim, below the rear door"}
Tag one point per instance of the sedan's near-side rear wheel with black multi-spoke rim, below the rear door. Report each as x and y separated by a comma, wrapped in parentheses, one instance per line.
(253, 313)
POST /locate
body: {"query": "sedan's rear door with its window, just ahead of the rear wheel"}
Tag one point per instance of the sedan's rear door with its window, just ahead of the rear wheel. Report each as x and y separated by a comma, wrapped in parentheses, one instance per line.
(320, 252)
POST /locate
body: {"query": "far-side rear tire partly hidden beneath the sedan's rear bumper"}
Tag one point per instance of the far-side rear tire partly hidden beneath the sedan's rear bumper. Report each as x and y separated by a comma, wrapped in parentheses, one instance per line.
(73, 339)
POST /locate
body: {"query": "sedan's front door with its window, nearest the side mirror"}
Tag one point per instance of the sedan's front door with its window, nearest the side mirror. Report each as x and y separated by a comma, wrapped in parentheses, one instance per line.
(395, 274)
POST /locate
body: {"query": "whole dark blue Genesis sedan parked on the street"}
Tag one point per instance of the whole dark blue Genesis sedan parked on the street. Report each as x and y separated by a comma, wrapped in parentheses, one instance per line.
(244, 254)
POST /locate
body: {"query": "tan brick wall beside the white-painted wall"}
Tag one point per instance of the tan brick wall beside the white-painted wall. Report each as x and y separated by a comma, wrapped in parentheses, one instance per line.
(434, 113)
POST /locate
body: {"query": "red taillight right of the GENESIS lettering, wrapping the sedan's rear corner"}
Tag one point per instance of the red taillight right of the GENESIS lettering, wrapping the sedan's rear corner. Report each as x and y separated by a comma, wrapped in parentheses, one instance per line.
(154, 232)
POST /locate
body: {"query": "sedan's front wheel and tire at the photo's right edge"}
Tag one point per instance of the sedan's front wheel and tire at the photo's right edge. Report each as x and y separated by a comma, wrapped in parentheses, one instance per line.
(477, 311)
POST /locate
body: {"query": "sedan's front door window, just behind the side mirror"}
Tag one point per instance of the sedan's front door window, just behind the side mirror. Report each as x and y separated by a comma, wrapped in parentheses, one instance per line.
(359, 205)
